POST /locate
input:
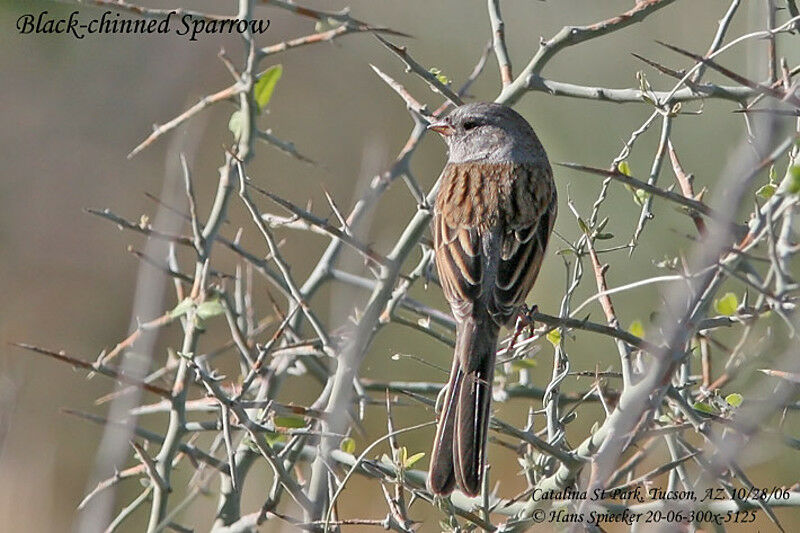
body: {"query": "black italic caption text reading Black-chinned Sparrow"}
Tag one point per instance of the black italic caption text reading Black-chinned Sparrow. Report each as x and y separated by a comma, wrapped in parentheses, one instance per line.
(114, 23)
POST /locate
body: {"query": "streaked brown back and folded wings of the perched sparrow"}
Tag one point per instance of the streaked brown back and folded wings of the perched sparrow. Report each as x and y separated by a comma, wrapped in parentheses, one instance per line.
(476, 207)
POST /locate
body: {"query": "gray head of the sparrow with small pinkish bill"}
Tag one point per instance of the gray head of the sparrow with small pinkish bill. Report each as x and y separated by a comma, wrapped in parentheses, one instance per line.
(491, 132)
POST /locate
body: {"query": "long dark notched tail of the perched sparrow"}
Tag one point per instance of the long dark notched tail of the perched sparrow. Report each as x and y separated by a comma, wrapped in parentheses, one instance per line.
(459, 448)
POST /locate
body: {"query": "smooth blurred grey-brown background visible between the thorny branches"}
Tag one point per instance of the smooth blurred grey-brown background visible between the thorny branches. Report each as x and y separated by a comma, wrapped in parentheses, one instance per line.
(73, 109)
